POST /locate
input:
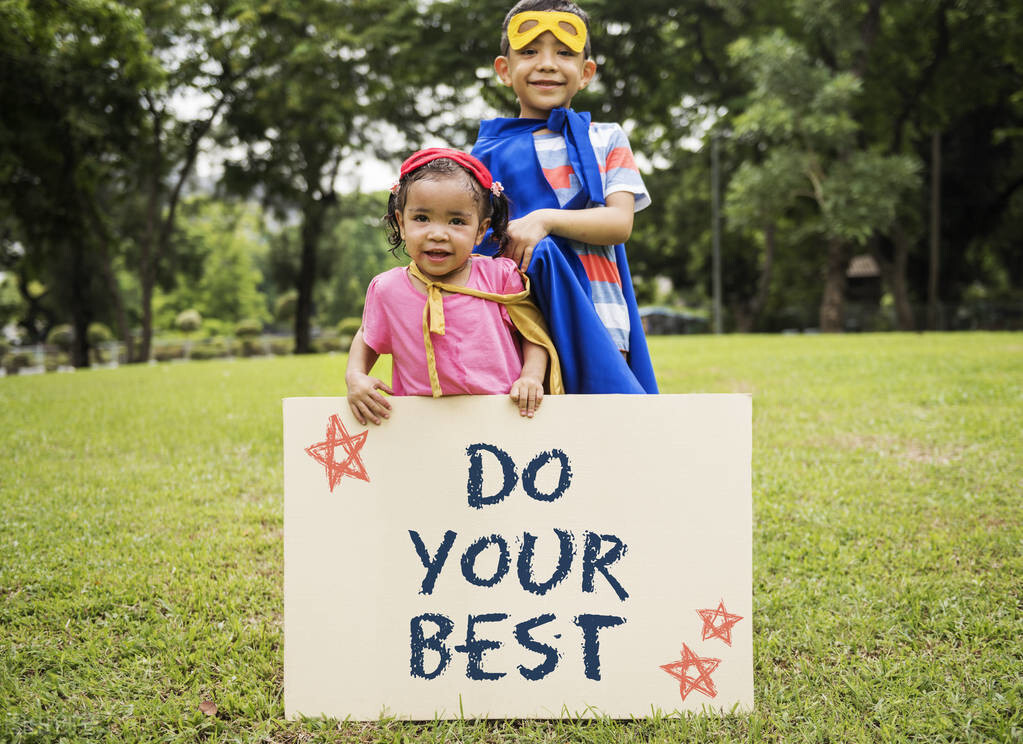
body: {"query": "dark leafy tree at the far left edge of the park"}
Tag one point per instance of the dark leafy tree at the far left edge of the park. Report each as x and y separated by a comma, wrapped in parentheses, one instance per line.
(70, 81)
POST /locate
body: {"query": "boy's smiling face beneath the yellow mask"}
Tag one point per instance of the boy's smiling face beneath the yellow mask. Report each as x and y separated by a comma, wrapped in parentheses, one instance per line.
(545, 75)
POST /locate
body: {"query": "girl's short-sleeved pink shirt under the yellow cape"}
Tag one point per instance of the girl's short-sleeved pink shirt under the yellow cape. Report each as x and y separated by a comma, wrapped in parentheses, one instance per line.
(480, 353)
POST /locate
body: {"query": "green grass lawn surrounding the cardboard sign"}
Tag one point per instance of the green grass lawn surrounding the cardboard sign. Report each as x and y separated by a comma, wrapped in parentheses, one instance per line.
(141, 548)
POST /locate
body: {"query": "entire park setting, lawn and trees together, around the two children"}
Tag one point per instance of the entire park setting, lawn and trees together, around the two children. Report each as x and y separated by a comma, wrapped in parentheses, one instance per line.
(206, 179)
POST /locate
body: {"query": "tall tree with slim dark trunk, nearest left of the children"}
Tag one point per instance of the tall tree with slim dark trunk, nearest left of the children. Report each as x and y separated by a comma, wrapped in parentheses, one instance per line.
(303, 121)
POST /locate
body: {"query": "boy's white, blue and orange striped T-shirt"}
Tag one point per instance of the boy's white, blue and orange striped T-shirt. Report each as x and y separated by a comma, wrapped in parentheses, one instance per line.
(618, 173)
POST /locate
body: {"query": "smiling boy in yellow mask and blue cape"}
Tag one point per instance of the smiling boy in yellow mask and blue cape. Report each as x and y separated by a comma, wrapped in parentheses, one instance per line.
(573, 190)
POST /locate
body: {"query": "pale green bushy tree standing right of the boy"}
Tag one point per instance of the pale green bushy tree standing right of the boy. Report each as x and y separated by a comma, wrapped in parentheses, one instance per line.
(802, 112)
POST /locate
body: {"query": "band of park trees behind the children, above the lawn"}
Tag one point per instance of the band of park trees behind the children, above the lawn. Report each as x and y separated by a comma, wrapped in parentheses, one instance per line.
(207, 179)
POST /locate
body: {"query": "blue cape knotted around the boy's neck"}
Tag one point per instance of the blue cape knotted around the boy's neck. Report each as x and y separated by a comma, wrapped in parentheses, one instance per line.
(591, 361)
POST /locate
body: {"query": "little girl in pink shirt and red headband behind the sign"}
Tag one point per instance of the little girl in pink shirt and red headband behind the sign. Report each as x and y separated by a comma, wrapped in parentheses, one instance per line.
(450, 319)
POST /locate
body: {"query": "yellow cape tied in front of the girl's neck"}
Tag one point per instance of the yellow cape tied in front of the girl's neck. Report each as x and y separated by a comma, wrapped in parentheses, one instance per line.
(525, 316)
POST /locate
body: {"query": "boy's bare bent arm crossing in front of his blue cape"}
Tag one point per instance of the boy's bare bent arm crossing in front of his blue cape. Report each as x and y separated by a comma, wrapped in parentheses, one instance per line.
(607, 226)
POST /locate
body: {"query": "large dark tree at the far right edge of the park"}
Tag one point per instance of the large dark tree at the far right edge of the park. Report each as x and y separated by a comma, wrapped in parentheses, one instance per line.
(942, 73)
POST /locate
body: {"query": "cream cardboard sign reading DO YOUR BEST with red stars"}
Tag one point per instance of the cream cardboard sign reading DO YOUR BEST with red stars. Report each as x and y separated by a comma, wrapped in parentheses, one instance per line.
(462, 561)
